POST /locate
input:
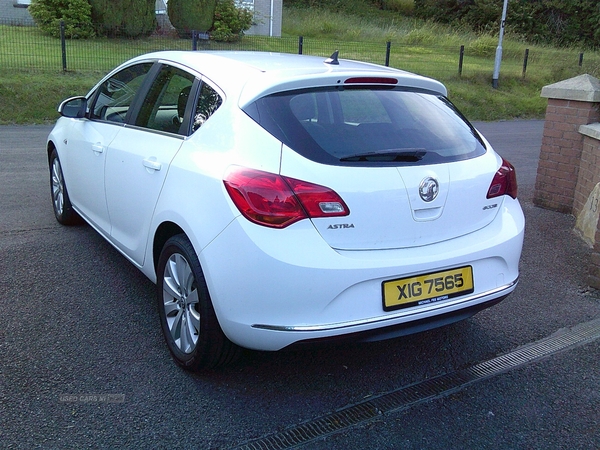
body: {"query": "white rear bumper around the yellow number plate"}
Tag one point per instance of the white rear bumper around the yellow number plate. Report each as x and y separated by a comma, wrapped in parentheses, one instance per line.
(271, 291)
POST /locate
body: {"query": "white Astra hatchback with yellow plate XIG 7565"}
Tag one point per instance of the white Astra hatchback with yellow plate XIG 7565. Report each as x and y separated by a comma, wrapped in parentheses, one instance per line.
(280, 199)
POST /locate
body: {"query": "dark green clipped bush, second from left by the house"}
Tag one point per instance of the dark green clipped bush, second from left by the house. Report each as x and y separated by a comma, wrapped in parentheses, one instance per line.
(129, 18)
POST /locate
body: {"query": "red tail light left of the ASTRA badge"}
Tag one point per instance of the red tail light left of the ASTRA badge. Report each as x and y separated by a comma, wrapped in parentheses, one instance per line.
(276, 201)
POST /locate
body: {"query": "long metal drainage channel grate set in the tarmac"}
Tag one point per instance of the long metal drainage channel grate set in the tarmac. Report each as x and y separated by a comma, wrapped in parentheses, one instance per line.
(423, 391)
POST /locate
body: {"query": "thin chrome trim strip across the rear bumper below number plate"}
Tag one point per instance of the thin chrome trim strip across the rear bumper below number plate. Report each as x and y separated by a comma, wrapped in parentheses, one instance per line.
(342, 325)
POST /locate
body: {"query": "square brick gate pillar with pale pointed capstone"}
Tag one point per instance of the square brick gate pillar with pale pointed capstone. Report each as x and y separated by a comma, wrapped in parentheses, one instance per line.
(571, 104)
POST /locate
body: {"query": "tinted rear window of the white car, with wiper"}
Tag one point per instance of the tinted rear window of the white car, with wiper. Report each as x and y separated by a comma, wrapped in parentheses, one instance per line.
(368, 125)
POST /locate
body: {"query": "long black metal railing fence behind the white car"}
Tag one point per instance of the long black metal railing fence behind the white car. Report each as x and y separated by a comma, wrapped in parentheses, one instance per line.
(27, 48)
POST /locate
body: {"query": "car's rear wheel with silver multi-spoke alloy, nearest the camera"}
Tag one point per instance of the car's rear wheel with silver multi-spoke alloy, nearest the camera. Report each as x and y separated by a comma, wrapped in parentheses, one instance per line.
(187, 316)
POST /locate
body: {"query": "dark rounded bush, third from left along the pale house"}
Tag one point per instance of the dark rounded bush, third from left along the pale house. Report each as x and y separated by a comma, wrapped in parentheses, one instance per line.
(191, 15)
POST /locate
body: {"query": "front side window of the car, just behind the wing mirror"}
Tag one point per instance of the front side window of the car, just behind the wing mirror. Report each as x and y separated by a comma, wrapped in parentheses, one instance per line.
(115, 96)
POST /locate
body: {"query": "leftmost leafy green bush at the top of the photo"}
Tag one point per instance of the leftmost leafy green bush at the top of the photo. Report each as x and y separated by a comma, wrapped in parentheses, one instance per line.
(75, 14)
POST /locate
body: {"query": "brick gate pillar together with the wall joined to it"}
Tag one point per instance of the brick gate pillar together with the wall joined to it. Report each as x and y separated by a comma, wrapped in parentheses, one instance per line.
(568, 176)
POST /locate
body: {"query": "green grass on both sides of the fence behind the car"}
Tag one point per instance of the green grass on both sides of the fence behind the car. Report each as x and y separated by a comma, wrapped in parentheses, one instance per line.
(32, 81)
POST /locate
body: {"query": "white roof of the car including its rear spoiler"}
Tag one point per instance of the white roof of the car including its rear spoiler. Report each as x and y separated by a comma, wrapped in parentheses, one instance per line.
(248, 75)
